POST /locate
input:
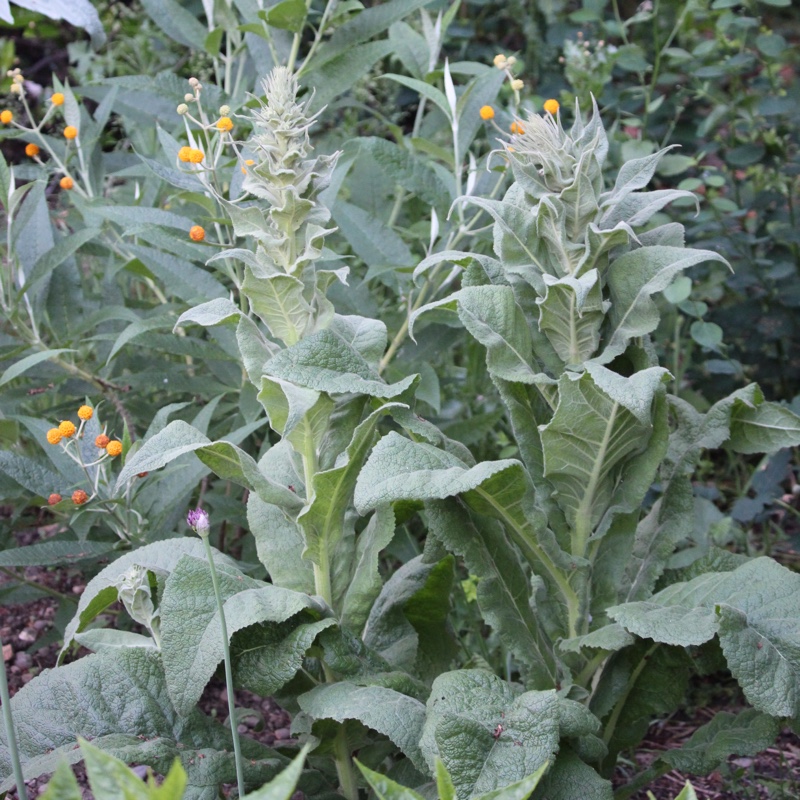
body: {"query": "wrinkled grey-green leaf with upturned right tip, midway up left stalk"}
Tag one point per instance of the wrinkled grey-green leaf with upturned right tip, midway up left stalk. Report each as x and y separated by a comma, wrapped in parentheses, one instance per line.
(325, 362)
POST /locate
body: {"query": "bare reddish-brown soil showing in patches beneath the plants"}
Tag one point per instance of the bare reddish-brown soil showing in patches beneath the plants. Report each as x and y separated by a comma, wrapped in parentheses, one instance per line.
(26, 629)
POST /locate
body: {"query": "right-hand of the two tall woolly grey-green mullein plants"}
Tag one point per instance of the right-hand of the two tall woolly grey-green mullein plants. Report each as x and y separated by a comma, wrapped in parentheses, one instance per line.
(601, 609)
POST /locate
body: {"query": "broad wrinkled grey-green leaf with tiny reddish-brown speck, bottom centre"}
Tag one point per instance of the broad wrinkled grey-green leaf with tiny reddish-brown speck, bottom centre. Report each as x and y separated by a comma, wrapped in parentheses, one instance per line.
(488, 732)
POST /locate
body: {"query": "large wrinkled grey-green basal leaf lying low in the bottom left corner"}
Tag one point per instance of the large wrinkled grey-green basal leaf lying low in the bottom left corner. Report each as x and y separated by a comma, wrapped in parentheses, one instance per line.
(119, 701)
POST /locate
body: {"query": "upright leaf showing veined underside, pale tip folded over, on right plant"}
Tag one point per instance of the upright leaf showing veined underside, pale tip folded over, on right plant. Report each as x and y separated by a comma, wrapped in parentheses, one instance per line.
(602, 420)
